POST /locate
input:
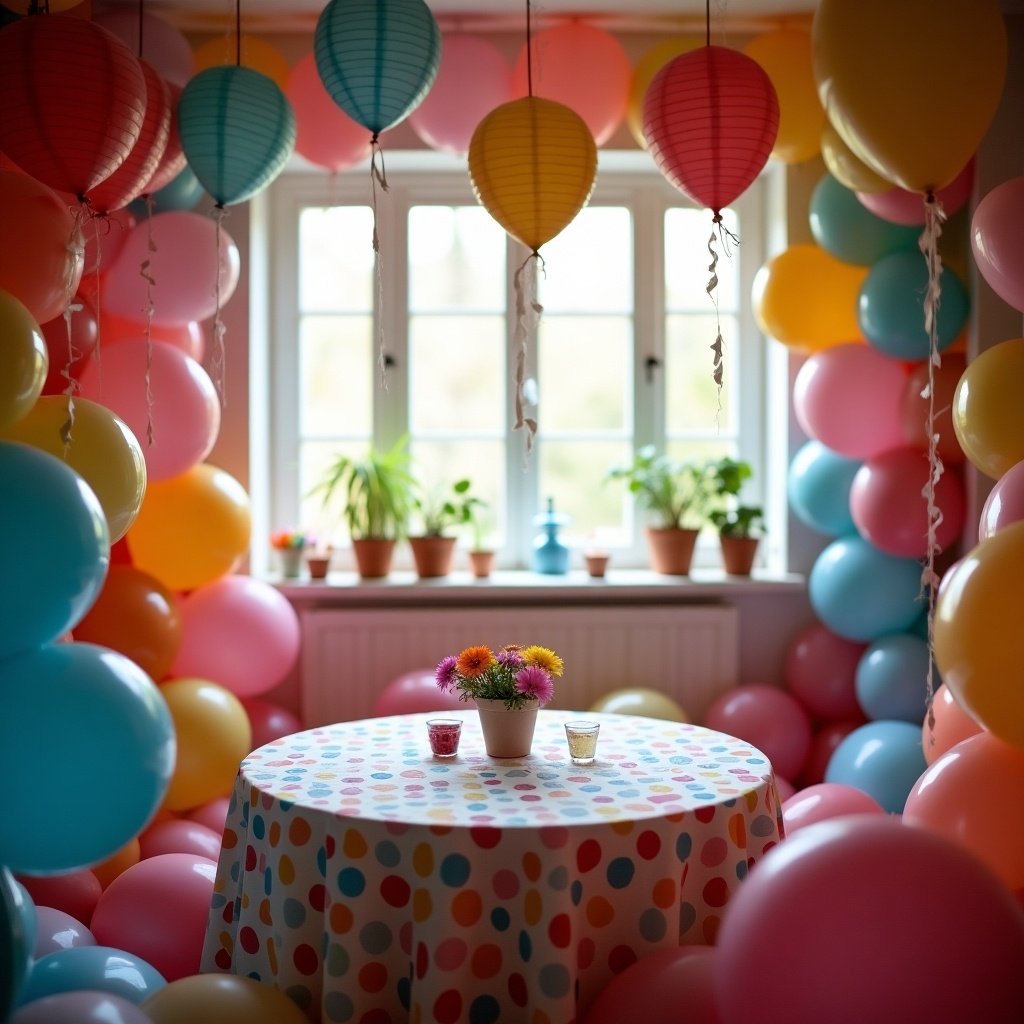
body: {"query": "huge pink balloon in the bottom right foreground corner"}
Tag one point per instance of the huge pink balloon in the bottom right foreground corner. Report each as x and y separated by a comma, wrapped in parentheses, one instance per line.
(902, 905)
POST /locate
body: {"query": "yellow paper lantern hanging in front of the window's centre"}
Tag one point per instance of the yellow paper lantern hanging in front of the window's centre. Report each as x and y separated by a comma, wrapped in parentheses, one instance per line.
(533, 163)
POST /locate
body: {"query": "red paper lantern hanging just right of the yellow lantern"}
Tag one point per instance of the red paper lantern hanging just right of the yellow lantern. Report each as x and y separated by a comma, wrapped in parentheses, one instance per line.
(711, 120)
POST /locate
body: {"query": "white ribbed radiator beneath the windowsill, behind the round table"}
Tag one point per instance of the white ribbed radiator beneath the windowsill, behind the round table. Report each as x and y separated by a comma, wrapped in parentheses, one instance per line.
(690, 653)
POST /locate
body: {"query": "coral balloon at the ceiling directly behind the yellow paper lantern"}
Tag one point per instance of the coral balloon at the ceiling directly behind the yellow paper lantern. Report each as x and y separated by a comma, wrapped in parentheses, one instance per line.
(582, 67)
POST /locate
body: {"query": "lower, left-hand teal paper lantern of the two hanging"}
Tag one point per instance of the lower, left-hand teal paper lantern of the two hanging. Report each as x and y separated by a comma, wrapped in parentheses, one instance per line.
(238, 132)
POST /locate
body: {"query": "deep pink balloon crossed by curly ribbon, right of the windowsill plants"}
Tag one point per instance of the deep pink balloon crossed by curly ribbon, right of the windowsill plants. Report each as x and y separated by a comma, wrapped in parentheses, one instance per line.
(889, 508)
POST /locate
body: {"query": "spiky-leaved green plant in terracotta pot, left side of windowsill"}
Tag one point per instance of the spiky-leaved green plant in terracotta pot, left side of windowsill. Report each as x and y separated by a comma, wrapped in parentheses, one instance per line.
(377, 493)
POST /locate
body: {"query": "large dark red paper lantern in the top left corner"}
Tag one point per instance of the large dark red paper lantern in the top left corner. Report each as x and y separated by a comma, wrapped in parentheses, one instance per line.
(74, 101)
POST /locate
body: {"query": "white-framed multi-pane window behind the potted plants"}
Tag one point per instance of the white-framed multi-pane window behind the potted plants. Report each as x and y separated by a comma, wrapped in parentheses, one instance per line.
(423, 343)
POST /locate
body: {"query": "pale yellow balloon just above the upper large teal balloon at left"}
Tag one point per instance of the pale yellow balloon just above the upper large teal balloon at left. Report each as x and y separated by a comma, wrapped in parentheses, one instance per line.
(101, 448)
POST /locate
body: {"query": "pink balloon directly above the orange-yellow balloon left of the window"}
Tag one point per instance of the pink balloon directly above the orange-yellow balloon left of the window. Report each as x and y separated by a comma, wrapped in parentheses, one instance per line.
(165, 398)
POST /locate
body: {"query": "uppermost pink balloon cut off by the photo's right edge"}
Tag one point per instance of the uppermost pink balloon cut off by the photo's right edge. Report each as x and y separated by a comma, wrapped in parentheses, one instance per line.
(996, 241)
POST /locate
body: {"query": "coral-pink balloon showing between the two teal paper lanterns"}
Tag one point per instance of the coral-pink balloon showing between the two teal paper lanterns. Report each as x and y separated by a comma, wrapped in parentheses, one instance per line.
(326, 136)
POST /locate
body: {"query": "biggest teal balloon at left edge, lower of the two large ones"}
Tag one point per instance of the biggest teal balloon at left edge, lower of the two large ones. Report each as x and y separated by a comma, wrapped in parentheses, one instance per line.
(92, 742)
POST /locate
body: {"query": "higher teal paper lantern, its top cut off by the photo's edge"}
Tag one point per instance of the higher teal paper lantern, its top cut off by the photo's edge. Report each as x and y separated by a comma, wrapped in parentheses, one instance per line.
(377, 59)
